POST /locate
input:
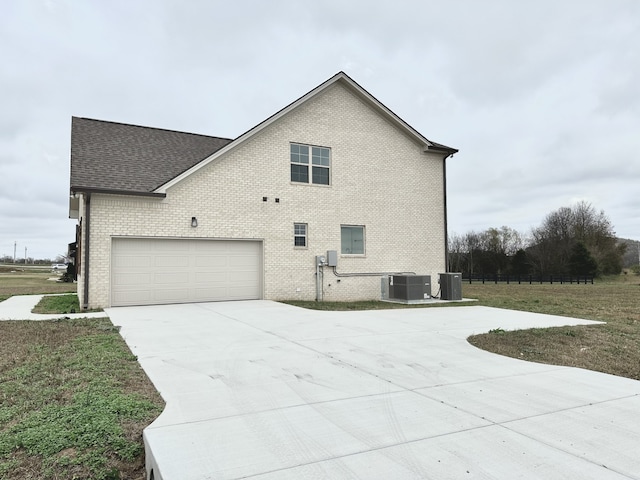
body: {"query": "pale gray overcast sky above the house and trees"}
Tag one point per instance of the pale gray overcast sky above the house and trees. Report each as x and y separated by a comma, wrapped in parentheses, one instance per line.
(542, 98)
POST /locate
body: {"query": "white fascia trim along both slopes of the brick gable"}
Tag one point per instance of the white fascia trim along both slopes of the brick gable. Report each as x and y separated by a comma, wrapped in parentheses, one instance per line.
(341, 76)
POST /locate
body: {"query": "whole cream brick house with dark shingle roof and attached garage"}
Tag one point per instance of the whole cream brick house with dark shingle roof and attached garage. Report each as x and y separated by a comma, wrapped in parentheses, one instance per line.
(170, 217)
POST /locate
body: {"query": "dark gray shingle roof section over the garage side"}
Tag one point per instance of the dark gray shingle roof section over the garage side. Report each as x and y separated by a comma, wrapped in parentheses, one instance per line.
(117, 157)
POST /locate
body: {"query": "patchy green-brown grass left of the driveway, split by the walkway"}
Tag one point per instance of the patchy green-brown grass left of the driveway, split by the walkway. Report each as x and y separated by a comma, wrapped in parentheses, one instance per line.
(73, 399)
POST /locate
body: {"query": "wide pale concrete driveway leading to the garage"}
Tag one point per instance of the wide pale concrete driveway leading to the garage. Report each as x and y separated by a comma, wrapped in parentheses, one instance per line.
(263, 390)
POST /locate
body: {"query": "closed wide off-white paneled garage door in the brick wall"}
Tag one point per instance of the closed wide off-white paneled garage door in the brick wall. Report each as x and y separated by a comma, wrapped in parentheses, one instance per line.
(159, 271)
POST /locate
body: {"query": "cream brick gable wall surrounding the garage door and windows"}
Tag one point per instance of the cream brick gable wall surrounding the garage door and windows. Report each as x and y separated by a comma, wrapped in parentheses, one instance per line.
(380, 178)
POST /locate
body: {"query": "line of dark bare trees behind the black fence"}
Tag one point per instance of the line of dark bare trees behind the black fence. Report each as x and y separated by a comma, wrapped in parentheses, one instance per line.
(576, 240)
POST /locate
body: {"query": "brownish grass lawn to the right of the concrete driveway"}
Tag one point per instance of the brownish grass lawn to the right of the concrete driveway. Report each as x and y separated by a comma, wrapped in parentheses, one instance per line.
(612, 348)
